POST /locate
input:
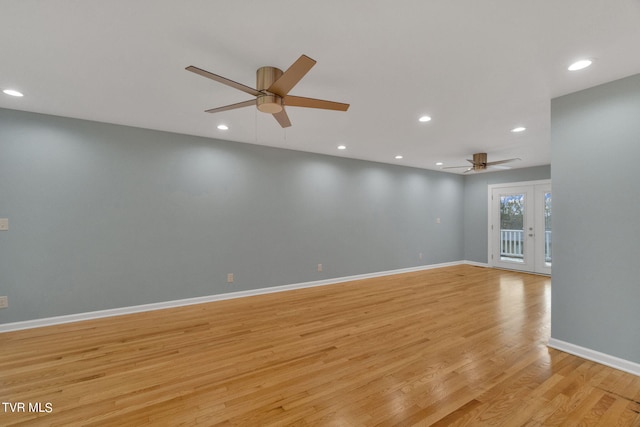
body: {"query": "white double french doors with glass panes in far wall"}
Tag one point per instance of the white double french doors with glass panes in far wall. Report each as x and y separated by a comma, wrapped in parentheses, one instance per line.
(520, 226)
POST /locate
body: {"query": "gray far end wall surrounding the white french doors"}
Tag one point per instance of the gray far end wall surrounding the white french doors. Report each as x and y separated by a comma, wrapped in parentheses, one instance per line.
(476, 206)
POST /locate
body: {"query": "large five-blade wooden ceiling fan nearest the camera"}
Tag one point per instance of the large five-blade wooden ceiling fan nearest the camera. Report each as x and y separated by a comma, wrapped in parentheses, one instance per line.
(272, 90)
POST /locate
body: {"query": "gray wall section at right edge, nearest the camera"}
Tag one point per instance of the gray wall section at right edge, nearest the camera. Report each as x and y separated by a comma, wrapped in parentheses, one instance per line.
(596, 223)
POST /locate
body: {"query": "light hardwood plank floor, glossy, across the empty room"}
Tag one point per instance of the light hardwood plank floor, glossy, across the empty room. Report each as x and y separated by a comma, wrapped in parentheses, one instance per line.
(453, 346)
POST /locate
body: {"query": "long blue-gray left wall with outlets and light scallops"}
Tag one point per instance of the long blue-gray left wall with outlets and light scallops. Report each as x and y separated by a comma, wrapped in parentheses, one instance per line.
(104, 216)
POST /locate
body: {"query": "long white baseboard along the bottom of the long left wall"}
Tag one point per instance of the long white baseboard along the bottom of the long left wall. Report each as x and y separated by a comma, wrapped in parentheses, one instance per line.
(49, 321)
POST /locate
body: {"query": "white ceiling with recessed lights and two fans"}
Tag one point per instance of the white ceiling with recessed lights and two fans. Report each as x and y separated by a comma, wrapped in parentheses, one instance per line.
(478, 68)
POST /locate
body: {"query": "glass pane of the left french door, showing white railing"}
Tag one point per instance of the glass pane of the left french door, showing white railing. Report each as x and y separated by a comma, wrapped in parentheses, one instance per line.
(512, 228)
